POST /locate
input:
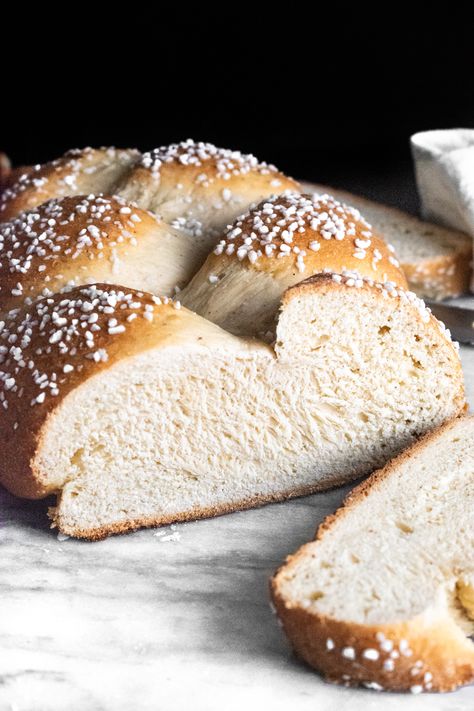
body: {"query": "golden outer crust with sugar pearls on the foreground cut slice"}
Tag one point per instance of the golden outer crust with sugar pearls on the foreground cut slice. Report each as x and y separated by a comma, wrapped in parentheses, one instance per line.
(428, 657)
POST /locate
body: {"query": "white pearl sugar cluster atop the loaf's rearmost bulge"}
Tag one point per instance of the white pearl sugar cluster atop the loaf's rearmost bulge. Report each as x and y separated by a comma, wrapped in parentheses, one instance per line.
(215, 162)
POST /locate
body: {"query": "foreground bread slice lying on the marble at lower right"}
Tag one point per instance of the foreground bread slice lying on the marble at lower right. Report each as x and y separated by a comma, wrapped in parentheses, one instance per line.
(384, 597)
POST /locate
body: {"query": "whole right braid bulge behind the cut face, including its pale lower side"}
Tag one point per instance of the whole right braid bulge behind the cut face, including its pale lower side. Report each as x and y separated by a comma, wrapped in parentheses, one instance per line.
(275, 245)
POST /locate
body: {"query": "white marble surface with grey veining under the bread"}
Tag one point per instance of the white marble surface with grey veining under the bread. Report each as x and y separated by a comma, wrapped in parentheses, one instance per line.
(135, 622)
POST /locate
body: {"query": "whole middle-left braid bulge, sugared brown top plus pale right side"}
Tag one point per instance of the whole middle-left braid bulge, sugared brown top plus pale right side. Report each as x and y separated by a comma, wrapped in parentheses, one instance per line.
(85, 239)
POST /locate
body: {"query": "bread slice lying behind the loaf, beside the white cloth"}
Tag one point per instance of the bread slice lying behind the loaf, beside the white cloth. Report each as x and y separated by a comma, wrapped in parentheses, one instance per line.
(435, 259)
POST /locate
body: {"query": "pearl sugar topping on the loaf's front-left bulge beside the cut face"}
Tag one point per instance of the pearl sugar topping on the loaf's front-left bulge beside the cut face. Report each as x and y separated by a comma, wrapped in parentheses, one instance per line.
(41, 347)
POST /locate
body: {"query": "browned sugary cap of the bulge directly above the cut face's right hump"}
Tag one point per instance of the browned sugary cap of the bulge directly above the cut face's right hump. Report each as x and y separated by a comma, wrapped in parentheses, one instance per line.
(308, 235)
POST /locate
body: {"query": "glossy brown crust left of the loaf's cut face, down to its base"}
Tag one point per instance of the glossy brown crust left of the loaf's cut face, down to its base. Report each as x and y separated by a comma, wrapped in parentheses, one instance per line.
(50, 348)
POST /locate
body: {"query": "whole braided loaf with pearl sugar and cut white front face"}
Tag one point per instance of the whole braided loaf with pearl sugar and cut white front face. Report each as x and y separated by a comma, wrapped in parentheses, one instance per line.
(136, 411)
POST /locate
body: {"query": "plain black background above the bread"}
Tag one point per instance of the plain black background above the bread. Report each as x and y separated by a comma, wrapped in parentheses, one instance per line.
(331, 97)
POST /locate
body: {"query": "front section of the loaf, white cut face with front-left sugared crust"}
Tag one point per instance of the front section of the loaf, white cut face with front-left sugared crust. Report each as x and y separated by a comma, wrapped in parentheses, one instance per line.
(136, 412)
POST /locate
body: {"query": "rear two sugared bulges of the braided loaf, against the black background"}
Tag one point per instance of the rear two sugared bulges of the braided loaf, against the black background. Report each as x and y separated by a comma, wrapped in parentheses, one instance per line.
(193, 186)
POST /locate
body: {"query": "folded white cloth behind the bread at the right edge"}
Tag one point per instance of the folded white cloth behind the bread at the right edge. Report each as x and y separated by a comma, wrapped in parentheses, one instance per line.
(444, 167)
